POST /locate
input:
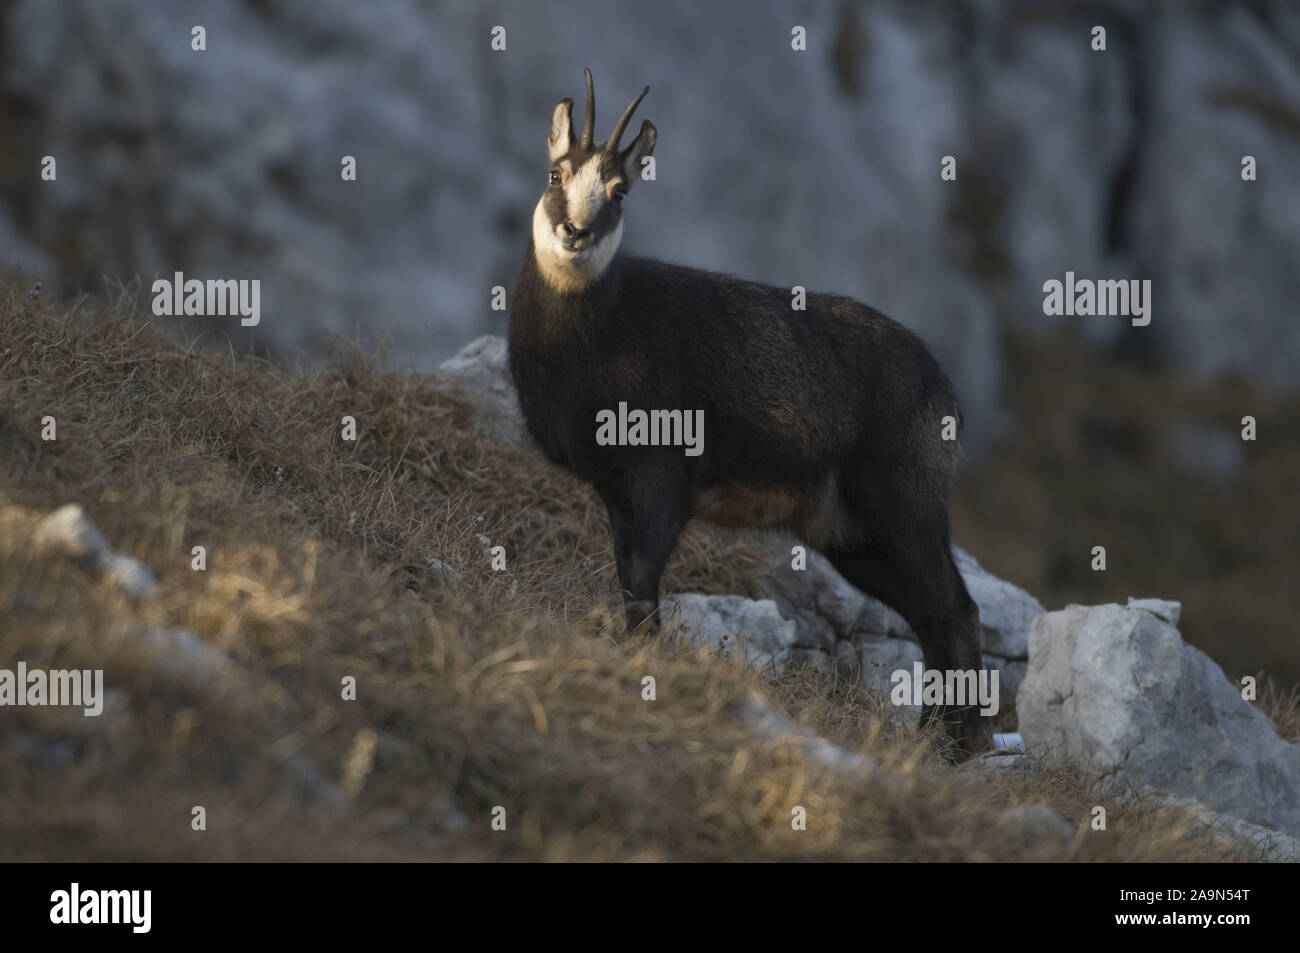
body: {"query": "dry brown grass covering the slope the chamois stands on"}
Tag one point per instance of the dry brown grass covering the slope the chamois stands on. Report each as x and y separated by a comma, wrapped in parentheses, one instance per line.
(504, 690)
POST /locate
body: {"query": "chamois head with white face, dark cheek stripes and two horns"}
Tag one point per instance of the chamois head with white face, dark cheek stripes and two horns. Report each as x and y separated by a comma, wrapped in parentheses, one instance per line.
(578, 223)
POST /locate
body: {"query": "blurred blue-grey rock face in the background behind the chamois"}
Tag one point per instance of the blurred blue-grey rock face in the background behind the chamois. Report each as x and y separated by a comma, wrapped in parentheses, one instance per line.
(817, 168)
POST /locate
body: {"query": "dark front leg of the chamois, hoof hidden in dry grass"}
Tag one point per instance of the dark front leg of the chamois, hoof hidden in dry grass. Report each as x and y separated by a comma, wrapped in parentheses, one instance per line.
(647, 521)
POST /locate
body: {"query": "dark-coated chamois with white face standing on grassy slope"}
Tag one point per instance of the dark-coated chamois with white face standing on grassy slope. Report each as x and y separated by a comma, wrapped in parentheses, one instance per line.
(826, 422)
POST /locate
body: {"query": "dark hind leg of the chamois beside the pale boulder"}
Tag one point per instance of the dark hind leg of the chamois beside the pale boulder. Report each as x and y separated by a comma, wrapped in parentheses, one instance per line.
(917, 578)
